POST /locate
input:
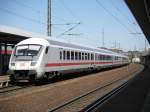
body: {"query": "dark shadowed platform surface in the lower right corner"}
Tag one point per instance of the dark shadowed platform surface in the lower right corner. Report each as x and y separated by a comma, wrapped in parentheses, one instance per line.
(134, 98)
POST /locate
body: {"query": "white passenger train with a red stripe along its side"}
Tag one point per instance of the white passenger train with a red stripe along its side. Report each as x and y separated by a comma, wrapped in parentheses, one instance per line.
(37, 58)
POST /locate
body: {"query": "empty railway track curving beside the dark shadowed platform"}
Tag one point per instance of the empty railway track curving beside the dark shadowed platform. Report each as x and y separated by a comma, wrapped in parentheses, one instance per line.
(100, 100)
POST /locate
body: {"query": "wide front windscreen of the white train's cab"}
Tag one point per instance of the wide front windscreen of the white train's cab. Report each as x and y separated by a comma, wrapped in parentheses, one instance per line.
(27, 50)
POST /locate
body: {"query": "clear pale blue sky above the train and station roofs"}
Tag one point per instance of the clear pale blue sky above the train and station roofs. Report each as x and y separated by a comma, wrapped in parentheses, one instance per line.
(108, 19)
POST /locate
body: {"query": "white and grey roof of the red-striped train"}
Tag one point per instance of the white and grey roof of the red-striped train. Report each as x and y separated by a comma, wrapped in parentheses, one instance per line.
(63, 44)
